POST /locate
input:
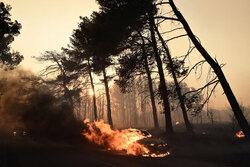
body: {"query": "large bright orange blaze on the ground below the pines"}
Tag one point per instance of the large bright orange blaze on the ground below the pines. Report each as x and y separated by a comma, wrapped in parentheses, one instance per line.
(122, 141)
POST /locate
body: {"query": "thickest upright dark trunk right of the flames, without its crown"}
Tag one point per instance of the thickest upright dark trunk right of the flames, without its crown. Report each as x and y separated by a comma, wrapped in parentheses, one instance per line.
(163, 86)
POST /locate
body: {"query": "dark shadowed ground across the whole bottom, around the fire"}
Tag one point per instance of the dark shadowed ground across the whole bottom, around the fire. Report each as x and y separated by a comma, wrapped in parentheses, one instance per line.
(201, 150)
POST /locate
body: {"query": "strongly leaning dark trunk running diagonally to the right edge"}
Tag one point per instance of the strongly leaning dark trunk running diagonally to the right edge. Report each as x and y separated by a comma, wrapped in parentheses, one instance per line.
(217, 69)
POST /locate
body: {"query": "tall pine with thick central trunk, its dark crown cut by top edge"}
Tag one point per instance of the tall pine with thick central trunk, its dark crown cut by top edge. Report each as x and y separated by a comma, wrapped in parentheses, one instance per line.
(148, 10)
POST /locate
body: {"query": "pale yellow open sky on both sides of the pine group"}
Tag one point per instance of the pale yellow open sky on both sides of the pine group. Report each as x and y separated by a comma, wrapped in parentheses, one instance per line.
(222, 25)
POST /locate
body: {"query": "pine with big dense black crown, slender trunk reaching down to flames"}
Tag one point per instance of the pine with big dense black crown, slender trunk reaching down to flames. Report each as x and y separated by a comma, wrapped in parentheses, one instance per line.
(112, 19)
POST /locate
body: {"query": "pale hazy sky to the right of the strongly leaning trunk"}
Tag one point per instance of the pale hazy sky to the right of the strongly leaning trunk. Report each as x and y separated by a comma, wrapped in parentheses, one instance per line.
(223, 27)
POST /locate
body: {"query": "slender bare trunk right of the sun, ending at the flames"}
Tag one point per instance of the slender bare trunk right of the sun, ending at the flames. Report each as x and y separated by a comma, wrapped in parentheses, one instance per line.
(105, 79)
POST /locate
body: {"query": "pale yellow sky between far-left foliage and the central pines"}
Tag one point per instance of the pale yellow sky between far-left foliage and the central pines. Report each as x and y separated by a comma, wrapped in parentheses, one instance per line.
(46, 25)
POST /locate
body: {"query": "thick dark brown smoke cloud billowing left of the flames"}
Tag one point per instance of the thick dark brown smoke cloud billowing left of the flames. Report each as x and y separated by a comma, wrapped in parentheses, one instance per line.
(26, 102)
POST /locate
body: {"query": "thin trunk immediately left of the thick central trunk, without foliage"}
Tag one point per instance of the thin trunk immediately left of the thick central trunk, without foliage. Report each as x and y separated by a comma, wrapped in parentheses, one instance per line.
(150, 85)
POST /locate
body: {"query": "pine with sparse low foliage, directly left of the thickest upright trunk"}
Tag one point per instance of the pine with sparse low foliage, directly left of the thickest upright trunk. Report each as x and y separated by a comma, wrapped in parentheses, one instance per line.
(136, 64)
